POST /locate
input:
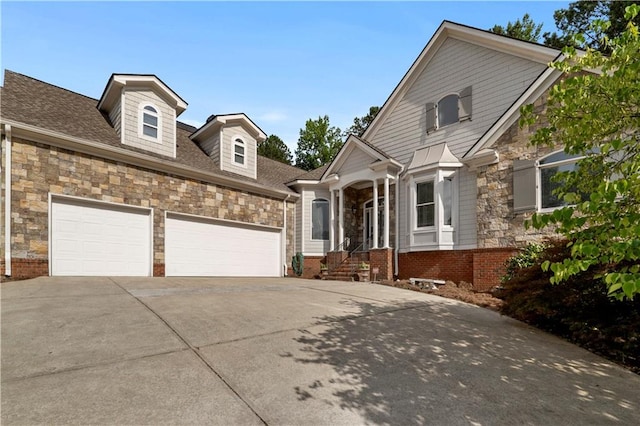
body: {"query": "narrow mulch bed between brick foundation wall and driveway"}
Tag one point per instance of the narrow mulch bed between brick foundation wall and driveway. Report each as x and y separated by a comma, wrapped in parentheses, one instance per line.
(462, 291)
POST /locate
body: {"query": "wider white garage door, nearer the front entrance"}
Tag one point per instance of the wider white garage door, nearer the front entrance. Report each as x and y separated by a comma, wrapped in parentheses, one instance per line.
(206, 248)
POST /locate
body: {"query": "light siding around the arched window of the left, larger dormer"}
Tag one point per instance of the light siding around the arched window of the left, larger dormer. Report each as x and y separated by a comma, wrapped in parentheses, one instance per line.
(133, 99)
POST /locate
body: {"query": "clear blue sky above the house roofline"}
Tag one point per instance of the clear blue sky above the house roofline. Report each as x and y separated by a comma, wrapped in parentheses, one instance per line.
(281, 63)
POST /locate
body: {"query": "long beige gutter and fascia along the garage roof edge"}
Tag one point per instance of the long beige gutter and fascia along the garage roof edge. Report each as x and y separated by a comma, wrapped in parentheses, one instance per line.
(86, 146)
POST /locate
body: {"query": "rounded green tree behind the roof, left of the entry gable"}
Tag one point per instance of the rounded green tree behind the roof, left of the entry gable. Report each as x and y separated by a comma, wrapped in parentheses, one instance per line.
(318, 143)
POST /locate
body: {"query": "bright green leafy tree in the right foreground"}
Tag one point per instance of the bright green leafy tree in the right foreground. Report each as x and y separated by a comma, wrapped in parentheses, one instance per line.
(597, 115)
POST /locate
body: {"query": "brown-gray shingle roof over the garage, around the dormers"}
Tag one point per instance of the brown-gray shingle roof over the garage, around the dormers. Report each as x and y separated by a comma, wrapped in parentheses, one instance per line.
(27, 100)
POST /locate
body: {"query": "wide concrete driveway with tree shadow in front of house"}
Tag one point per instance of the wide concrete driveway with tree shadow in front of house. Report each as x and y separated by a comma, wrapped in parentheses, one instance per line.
(287, 351)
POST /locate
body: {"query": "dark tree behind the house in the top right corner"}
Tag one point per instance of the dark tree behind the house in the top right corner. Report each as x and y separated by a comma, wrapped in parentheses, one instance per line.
(579, 17)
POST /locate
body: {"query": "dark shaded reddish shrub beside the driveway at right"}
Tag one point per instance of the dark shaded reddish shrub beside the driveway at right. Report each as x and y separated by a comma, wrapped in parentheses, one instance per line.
(577, 309)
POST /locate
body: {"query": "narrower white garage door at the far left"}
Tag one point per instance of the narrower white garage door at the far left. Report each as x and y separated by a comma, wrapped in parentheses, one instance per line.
(91, 238)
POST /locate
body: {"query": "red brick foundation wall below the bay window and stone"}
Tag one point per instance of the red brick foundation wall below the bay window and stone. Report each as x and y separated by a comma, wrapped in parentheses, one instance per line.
(480, 267)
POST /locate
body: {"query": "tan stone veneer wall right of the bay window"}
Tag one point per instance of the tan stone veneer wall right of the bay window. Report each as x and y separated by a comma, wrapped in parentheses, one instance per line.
(498, 224)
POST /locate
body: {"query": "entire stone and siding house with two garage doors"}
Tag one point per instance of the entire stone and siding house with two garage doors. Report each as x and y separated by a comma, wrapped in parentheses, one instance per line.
(438, 186)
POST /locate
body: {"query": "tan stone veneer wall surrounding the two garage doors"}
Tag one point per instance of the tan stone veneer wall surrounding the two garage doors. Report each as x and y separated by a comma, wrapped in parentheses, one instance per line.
(39, 169)
